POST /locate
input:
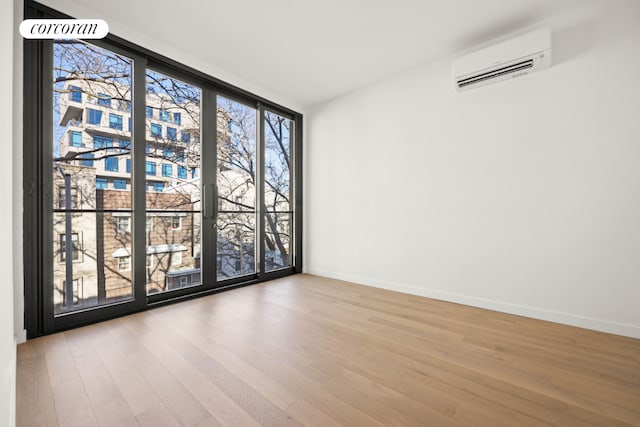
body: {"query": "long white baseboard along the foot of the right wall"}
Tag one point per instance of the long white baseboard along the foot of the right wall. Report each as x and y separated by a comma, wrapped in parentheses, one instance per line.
(601, 325)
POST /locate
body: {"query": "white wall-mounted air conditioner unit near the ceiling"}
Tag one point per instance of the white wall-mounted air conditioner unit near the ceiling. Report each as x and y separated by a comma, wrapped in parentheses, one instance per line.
(506, 60)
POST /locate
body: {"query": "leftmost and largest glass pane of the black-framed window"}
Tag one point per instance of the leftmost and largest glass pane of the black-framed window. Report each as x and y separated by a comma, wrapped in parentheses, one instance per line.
(91, 177)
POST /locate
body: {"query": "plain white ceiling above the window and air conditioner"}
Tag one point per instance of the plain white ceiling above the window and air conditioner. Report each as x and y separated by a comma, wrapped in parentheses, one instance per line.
(311, 51)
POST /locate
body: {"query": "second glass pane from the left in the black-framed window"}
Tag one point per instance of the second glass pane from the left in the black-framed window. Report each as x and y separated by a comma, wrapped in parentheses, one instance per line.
(173, 183)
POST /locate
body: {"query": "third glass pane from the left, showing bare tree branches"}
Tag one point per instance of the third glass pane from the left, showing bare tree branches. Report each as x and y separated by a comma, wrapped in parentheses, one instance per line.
(236, 142)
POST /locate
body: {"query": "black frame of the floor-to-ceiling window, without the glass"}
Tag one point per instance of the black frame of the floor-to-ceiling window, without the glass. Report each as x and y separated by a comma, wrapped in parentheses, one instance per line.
(37, 232)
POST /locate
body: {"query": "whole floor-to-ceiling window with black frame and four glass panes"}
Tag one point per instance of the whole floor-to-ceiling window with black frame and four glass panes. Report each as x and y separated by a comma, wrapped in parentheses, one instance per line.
(147, 181)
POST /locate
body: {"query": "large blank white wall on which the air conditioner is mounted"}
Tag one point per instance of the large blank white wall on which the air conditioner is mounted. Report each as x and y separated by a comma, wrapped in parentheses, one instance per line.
(521, 197)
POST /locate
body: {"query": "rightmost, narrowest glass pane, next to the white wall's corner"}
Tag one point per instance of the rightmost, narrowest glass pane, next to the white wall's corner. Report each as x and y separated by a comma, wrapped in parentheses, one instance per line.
(277, 190)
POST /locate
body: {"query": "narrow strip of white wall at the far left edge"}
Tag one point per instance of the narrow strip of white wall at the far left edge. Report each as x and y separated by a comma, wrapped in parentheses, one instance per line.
(7, 339)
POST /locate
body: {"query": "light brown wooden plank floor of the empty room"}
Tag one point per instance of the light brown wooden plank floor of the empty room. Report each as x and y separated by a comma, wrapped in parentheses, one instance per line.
(311, 351)
